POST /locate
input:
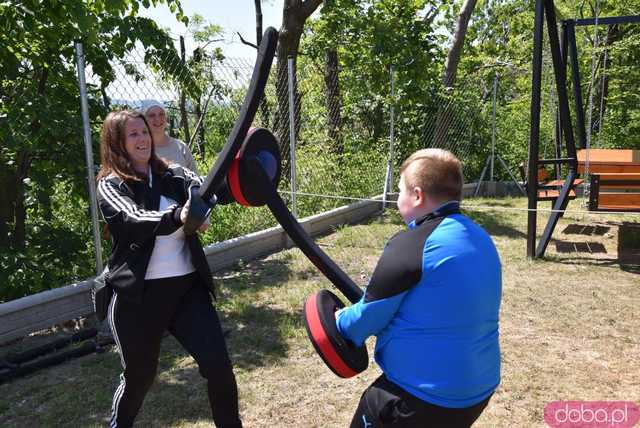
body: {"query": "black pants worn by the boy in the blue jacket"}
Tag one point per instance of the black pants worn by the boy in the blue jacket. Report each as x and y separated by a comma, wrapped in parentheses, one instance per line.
(384, 404)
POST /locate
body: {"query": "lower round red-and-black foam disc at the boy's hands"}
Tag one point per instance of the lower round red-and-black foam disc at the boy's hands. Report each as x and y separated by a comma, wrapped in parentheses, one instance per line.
(340, 355)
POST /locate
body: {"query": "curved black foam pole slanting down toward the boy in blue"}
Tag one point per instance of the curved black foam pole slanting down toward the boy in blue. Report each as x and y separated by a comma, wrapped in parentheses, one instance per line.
(288, 222)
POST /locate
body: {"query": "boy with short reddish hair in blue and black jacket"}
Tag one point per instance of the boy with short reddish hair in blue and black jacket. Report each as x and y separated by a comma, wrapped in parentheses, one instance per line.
(433, 303)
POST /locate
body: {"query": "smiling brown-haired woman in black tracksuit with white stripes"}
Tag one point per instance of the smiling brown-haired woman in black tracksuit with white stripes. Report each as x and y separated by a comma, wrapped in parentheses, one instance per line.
(160, 275)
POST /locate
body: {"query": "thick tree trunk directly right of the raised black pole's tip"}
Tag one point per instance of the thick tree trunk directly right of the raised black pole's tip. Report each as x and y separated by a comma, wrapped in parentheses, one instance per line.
(294, 15)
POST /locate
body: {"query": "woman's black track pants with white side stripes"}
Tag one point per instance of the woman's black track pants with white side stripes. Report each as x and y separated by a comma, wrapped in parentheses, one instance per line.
(183, 307)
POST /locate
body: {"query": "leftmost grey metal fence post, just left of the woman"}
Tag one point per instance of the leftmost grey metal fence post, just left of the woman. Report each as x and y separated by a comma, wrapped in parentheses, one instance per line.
(88, 151)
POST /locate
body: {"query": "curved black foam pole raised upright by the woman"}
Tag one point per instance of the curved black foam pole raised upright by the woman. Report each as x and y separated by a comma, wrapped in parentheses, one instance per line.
(259, 78)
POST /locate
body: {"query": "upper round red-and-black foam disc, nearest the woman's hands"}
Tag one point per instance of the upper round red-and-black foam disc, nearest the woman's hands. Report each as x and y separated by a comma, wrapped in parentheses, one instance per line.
(262, 145)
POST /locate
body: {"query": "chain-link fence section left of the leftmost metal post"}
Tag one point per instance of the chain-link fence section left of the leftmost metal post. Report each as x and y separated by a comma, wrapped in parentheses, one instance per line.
(45, 238)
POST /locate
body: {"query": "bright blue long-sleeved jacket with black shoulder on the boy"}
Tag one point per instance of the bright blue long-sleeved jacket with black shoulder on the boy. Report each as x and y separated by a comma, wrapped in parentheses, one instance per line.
(433, 303)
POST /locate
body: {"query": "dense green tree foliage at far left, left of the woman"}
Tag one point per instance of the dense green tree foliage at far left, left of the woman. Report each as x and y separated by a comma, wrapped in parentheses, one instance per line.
(44, 232)
